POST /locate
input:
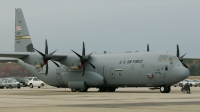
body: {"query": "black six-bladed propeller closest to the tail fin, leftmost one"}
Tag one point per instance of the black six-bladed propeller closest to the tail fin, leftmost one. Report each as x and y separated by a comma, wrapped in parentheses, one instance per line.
(47, 57)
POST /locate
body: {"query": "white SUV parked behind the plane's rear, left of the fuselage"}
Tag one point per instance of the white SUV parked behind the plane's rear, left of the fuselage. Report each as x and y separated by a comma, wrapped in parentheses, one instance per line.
(35, 82)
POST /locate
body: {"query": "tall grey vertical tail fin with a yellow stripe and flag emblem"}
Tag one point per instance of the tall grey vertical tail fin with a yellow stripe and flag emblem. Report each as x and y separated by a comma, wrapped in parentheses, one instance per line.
(22, 38)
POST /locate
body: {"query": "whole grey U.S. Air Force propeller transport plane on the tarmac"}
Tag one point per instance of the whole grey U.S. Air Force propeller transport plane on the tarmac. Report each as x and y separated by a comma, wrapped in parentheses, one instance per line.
(104, 71)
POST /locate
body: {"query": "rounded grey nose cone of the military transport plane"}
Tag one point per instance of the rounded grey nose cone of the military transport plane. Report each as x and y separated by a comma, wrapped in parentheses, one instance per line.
(181, 73)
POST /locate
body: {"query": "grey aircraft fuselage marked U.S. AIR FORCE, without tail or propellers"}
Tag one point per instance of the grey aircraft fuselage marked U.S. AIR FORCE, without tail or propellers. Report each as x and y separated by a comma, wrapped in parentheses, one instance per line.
(138, 69)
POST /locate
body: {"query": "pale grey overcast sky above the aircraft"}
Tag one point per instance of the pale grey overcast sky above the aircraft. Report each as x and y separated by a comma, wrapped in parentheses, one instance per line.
(106, 25)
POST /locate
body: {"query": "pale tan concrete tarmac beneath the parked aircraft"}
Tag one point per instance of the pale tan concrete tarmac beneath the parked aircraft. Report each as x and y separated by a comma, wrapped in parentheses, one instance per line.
(50, 99)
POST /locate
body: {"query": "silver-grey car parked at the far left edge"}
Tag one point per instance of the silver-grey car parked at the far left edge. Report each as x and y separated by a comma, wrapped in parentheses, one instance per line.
(11, 83)
